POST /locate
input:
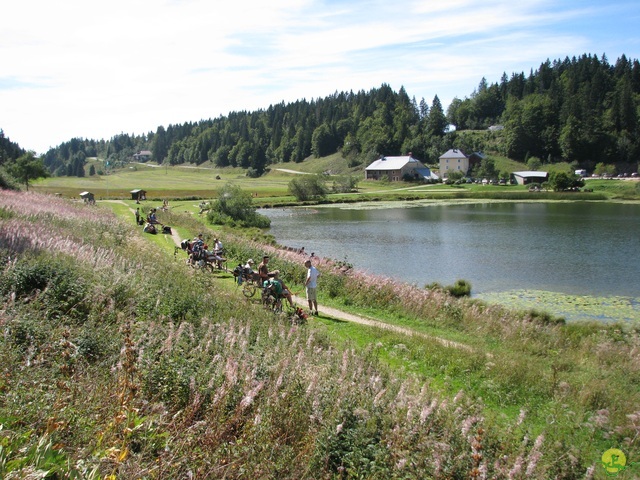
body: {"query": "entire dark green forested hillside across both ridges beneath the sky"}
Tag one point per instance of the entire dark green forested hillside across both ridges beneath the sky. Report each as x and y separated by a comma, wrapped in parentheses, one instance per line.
(580, 110)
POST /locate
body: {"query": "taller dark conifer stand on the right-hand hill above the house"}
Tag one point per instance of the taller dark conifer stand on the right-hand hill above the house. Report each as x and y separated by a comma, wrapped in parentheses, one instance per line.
(582, 110)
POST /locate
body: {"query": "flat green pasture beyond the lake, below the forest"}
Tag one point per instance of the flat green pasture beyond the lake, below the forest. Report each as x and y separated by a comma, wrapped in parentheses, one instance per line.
(184, 183)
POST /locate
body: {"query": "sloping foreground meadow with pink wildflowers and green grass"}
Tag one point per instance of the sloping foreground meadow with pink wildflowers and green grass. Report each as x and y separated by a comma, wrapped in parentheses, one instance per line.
(119, 361)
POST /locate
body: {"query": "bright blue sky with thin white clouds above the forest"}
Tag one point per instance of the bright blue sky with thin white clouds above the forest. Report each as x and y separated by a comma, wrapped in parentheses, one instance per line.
(94, 68)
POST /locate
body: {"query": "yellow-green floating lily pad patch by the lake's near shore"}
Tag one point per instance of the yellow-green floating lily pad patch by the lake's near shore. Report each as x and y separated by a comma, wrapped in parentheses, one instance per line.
(571, 307)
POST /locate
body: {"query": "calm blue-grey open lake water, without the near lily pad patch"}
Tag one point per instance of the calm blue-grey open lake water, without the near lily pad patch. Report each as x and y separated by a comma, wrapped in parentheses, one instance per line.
(583, 248)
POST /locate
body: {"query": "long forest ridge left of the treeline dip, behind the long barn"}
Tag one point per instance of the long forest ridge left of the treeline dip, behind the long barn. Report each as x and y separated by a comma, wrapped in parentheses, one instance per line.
(363, 125)
